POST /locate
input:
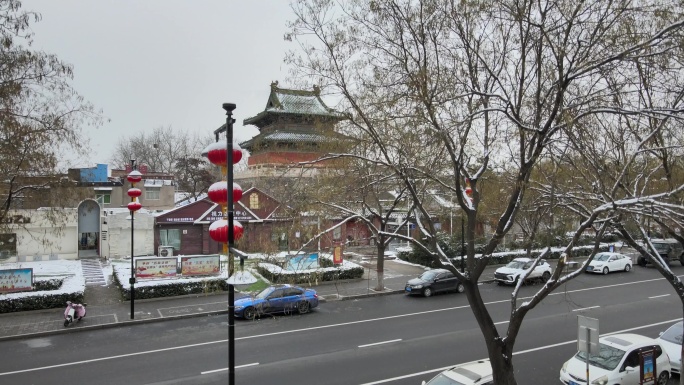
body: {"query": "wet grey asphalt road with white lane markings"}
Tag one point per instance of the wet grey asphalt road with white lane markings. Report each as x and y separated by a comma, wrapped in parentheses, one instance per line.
(391, 339)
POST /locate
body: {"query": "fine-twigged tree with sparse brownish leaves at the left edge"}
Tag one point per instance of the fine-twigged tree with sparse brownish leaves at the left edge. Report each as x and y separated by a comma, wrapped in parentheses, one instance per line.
(41, 117)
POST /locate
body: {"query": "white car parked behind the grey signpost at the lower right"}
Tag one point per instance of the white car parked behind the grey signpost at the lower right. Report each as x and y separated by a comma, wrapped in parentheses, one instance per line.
(617, 362)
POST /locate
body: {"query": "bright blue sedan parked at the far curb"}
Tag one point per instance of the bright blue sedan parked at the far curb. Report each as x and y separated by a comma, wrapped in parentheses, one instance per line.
(277, 299)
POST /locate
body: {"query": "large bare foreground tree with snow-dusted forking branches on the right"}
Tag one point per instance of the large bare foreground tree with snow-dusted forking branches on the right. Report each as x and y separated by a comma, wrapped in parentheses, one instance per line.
(495, 86)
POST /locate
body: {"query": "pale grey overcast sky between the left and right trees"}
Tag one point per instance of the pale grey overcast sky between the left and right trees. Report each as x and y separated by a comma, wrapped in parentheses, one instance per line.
(157, 63)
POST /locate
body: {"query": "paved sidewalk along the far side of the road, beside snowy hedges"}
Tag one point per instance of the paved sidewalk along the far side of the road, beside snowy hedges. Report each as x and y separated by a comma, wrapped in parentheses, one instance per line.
(105, 309)
